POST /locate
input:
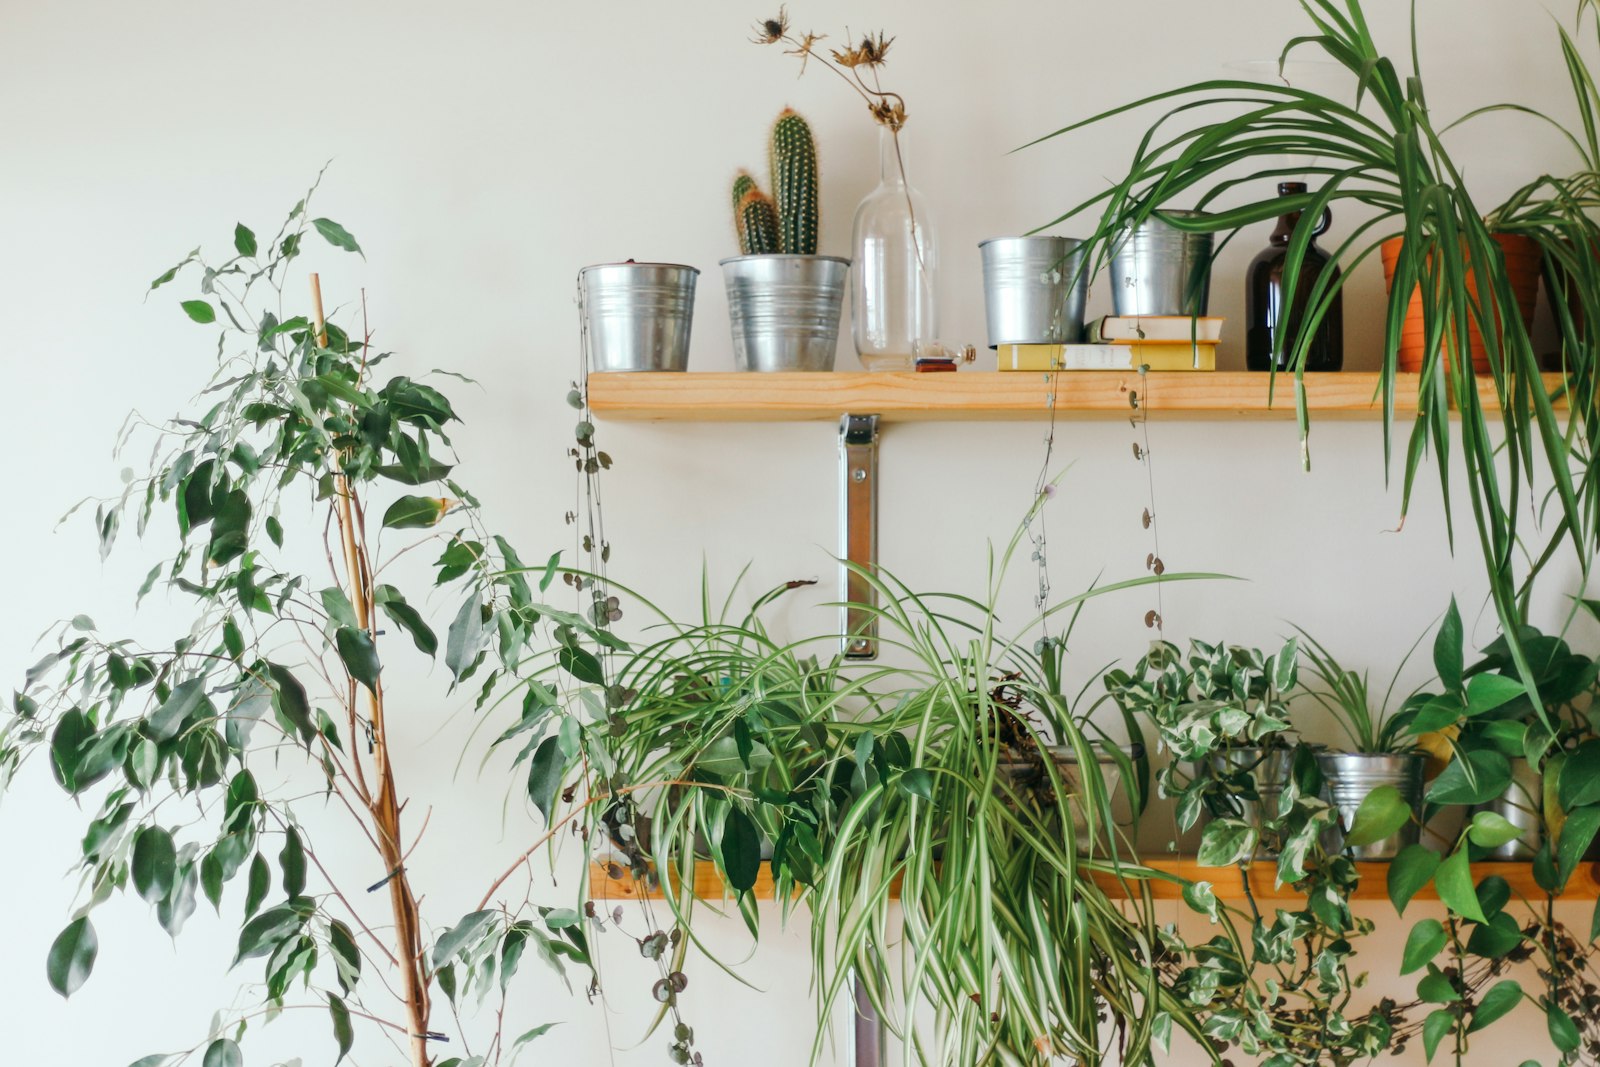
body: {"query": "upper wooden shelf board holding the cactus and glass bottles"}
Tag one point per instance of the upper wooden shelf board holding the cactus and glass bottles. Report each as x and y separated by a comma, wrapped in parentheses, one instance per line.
(991, 396)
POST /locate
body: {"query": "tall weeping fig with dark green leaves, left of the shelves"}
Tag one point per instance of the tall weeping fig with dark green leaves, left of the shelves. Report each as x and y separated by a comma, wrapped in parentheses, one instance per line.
(218, 764)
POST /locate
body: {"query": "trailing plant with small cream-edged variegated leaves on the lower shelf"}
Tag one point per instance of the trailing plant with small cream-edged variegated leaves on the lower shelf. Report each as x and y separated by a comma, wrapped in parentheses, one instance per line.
(1278, 986)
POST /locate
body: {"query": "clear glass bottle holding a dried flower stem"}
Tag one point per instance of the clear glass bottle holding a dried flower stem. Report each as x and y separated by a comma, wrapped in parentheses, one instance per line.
(895, 268)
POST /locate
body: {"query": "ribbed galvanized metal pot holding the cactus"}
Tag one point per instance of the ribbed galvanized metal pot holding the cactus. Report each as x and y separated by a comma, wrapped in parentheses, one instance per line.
(785, 311)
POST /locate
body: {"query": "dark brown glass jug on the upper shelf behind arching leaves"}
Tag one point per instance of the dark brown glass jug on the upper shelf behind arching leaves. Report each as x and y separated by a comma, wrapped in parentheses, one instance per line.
(1266, 302)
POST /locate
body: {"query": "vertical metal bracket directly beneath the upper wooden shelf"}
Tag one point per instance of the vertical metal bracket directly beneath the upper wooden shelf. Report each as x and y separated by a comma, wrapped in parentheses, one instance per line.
(858, 532)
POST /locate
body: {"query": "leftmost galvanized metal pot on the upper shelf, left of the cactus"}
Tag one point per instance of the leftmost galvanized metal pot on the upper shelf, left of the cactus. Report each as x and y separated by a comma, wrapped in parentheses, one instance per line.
(638, 316)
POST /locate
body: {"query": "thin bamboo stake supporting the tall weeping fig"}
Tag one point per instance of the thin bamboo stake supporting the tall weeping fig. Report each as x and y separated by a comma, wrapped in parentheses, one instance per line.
(385, 809)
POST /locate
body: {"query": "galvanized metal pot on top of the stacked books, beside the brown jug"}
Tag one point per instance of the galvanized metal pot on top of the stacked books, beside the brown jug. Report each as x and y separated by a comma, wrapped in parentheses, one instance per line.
(1159, 270)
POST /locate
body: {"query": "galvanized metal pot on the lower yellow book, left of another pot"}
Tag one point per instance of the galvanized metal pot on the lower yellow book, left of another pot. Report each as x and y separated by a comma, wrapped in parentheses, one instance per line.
(1034, 290)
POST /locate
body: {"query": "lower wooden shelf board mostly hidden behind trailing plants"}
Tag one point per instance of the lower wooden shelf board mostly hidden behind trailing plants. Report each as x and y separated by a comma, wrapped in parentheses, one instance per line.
(1228, 882)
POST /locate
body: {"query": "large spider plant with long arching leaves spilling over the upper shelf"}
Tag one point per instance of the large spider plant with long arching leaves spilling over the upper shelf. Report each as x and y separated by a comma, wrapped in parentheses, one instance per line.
(1385, 151)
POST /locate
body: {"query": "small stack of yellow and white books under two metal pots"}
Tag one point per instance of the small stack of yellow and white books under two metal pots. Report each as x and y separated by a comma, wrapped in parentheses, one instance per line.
(1162, 343)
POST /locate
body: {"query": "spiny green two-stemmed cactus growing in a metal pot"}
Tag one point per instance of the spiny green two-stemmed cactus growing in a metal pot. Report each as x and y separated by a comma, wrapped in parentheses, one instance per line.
(788, 220)
